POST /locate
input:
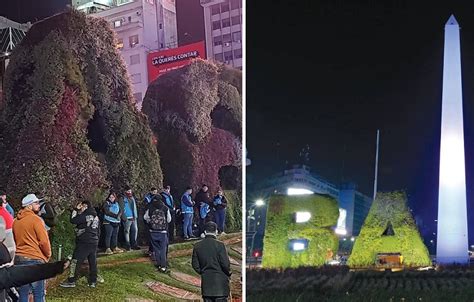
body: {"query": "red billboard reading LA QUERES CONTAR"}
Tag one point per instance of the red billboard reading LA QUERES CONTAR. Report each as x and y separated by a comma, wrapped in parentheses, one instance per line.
(160, 62)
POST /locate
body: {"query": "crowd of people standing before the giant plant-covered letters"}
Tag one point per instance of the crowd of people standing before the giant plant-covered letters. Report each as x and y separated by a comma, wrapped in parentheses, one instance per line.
(27, 245)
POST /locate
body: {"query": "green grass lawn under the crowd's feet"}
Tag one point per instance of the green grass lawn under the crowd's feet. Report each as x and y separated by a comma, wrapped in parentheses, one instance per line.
(126, 276)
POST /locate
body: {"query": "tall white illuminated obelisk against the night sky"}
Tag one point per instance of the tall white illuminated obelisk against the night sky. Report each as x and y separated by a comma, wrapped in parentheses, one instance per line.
(452, 243)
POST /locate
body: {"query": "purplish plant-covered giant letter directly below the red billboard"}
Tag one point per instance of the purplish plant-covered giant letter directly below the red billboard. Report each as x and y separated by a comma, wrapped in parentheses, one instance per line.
(196, 115)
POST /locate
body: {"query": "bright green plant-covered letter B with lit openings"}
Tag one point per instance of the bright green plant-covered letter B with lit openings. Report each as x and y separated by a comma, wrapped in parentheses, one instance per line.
(280, 228)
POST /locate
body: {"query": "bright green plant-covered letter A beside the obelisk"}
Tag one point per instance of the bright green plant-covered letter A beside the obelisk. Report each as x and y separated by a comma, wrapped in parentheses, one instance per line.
(389, 208)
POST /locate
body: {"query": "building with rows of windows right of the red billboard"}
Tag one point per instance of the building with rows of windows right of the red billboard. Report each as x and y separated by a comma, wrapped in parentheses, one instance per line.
(223, 30)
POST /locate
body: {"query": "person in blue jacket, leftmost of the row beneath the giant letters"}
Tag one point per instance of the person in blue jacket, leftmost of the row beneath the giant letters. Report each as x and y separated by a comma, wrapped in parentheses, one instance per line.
(112, 214)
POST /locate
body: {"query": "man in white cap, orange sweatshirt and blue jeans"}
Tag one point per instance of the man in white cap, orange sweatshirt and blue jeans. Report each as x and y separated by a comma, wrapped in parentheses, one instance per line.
(32, 244)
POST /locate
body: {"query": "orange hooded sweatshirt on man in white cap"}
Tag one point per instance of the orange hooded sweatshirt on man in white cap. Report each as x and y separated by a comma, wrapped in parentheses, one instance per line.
(31, 237)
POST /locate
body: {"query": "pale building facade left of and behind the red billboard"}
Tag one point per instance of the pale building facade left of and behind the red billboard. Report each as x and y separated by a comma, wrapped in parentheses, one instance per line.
(141, 26)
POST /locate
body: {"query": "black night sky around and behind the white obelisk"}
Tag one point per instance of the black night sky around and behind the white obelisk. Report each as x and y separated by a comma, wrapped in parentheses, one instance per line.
(329, 74)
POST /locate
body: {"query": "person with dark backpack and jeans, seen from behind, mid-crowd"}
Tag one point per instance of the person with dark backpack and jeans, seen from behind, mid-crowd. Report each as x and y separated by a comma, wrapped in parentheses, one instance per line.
(158, 217)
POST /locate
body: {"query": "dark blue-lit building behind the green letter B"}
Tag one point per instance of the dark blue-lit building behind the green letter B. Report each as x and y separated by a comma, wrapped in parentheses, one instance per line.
(352, 203)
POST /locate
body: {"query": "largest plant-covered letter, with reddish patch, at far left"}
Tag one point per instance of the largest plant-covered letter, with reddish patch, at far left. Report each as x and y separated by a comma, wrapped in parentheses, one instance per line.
(65, 75)
